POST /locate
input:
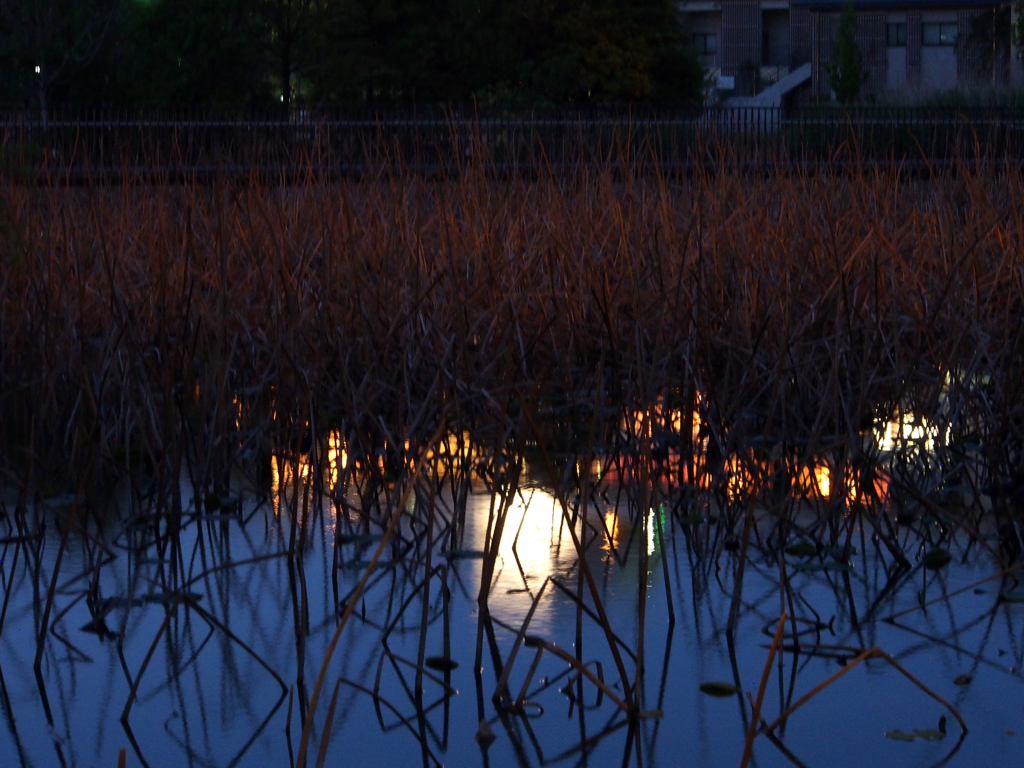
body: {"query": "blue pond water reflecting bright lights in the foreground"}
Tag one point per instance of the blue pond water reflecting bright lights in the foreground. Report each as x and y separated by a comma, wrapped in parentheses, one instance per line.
(216, 636)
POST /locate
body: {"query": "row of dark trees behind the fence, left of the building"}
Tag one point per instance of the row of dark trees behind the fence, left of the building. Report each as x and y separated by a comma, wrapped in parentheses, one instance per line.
(336, 52)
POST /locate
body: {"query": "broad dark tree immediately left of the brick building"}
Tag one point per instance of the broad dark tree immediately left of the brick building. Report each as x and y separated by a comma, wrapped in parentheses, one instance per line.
(533, 52)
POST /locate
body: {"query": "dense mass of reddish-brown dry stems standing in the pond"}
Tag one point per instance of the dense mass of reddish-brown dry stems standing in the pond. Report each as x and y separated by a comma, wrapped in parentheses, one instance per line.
(742, 339)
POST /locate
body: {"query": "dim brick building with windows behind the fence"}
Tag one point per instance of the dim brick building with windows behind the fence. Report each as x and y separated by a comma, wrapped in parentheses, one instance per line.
(909, 47)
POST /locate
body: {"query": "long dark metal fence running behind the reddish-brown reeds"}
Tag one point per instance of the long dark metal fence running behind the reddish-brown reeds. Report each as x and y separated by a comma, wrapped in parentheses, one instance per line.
(98, 145)
